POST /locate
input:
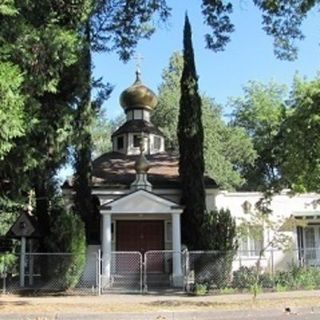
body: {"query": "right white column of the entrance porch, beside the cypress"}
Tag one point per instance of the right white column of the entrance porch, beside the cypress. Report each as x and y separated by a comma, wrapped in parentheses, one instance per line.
(176, 247)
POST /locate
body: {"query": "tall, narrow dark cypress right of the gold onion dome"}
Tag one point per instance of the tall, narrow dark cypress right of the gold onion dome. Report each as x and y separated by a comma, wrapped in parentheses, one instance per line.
(190, 137)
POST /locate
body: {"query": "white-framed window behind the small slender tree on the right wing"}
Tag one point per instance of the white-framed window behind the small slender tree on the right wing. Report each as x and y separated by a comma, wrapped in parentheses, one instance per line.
(251, 243)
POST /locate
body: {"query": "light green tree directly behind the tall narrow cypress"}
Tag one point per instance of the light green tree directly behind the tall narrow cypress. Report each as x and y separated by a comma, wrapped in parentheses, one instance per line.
(226, 148)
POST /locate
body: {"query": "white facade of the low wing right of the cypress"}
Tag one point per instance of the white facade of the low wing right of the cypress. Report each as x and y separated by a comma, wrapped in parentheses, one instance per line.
(305, 244)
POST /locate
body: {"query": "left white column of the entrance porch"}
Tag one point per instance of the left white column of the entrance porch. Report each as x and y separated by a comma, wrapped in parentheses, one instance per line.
(106, 248)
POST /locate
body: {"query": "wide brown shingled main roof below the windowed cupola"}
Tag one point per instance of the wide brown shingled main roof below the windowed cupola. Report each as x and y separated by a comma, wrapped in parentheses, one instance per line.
(115, 170)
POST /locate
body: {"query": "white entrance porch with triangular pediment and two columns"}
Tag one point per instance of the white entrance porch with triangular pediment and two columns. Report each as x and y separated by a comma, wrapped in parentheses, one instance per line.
(141, 206)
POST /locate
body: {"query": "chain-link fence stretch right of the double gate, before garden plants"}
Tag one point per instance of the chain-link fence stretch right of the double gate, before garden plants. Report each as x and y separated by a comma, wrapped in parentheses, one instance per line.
(246, 270)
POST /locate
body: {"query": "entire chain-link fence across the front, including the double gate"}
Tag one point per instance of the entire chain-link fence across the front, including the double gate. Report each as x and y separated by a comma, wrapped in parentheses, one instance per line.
(91, 274)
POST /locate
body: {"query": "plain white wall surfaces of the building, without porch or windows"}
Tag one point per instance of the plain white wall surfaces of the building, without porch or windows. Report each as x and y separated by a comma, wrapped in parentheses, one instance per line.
(282, 206)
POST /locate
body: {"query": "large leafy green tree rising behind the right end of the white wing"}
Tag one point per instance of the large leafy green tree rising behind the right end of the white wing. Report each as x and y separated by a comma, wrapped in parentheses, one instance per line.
(284, 130)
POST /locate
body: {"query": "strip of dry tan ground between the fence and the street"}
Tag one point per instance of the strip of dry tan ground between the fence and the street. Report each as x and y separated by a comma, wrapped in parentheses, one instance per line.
(13, 304)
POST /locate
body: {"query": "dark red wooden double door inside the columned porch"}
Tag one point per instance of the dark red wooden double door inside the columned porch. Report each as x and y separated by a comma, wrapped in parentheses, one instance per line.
(141, 236)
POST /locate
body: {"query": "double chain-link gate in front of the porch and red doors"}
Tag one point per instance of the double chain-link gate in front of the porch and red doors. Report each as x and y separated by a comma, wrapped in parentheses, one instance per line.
(134, 272)
